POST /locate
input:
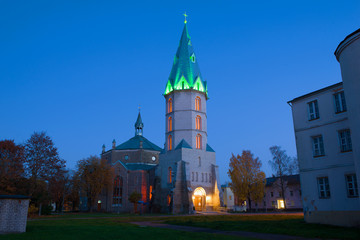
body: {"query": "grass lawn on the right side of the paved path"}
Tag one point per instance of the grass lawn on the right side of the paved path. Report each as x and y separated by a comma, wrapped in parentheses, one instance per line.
(278, 224)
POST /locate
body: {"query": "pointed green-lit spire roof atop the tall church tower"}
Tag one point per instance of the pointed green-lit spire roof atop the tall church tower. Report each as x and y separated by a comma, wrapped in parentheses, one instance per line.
(185, 72)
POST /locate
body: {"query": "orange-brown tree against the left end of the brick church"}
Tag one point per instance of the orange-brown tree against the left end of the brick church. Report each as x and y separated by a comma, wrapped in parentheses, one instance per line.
(95, 174)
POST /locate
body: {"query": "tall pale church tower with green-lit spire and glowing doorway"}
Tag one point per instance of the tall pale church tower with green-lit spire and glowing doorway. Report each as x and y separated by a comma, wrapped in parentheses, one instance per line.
(187, 169)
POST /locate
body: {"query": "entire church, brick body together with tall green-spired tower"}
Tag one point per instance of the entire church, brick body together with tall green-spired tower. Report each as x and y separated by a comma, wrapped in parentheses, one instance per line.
(183, 177)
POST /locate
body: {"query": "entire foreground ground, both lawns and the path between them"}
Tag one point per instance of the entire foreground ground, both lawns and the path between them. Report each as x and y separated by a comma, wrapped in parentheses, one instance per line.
(229, 226)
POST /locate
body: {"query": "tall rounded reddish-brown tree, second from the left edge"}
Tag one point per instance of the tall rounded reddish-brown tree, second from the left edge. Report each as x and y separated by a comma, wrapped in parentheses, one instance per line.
(43, 164)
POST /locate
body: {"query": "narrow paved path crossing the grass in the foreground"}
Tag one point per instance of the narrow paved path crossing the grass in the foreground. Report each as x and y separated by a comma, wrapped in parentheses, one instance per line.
(267, 236)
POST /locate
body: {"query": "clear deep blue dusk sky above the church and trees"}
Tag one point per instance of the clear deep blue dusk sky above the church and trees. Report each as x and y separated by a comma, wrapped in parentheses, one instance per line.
(79, 69)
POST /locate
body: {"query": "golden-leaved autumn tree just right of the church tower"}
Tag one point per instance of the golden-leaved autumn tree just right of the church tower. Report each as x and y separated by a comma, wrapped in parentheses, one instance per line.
(247, 180)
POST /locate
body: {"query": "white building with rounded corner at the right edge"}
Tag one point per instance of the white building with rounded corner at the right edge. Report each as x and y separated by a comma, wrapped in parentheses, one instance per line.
(327, 132)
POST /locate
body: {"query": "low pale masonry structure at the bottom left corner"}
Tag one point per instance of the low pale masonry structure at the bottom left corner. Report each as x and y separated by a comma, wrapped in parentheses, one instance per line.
(13, 213)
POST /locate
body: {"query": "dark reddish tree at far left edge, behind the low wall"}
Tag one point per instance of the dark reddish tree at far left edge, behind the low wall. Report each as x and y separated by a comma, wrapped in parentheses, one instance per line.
(11, 167)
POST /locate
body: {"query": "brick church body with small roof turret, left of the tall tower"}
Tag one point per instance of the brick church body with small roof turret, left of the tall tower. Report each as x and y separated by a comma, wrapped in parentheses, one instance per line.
(134, 163)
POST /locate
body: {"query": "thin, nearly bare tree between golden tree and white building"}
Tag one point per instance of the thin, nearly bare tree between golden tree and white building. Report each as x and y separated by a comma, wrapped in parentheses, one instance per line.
(283, 165)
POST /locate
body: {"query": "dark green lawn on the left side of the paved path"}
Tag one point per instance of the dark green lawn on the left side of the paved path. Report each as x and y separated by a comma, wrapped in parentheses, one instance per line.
(100, 228)
